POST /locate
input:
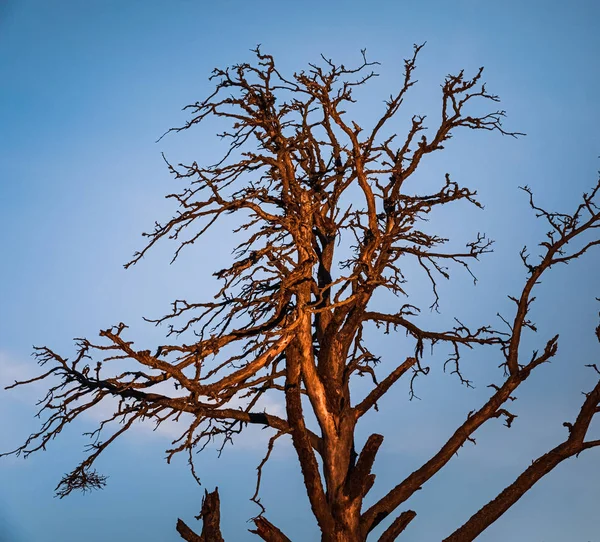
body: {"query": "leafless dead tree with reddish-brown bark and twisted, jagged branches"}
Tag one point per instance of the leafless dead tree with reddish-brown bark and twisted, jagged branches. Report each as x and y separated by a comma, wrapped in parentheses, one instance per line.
(327, 221)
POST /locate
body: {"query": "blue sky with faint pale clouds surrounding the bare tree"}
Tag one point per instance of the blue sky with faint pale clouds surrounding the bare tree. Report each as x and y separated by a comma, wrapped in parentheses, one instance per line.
(86, 89)
